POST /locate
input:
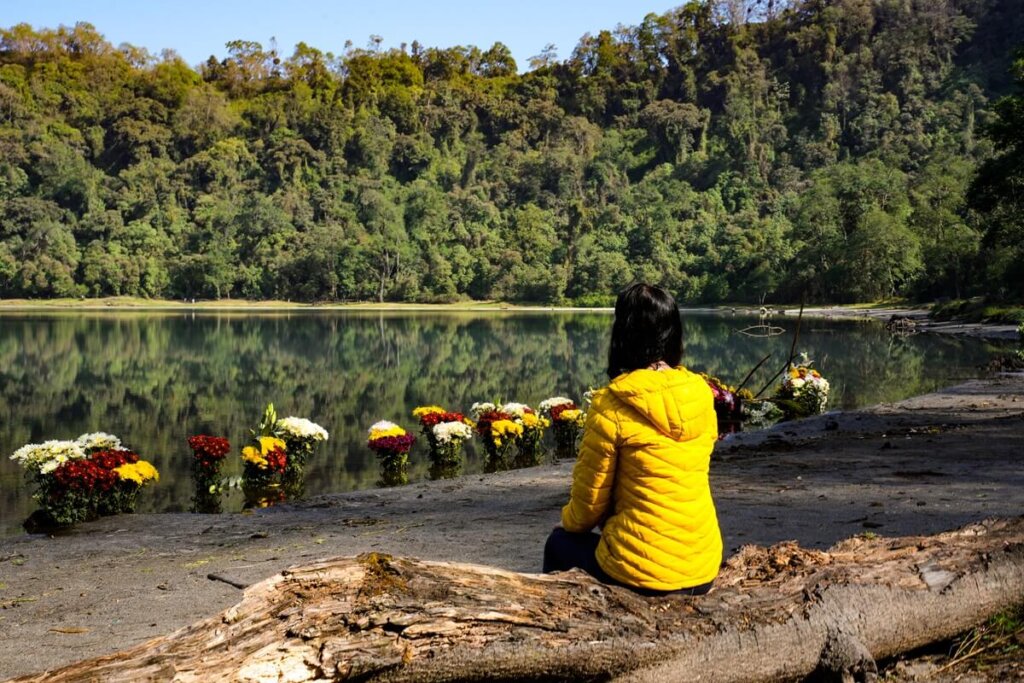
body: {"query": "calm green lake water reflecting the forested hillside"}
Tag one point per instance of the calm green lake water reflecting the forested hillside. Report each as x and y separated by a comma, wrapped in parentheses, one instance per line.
(155, 378)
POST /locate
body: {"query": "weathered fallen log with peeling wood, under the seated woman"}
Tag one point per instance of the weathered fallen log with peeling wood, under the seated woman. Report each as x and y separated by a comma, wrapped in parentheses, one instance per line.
(777, 614)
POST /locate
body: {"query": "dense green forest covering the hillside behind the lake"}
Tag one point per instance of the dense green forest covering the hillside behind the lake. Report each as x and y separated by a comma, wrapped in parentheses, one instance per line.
(731, 151)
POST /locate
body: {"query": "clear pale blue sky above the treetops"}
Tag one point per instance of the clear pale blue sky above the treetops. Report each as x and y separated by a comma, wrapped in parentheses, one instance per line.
(198, 29)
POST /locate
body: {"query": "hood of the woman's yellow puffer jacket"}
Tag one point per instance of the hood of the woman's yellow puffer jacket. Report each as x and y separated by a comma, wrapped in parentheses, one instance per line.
(674, 401)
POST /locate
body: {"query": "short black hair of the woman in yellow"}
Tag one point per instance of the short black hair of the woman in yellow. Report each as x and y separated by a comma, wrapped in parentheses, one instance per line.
(648, 329)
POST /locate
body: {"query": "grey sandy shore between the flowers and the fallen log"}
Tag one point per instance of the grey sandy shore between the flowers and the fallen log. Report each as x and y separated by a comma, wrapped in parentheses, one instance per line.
(921, 466)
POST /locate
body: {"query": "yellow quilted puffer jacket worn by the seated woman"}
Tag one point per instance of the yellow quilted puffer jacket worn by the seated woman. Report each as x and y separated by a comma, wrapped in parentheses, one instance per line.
(643, 474)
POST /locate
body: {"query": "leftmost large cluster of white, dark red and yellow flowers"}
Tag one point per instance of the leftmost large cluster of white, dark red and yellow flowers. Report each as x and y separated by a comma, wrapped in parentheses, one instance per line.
(89, 478)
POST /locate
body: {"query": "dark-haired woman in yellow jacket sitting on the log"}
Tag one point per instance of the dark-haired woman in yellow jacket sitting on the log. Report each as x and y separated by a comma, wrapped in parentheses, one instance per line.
(642, 474)
